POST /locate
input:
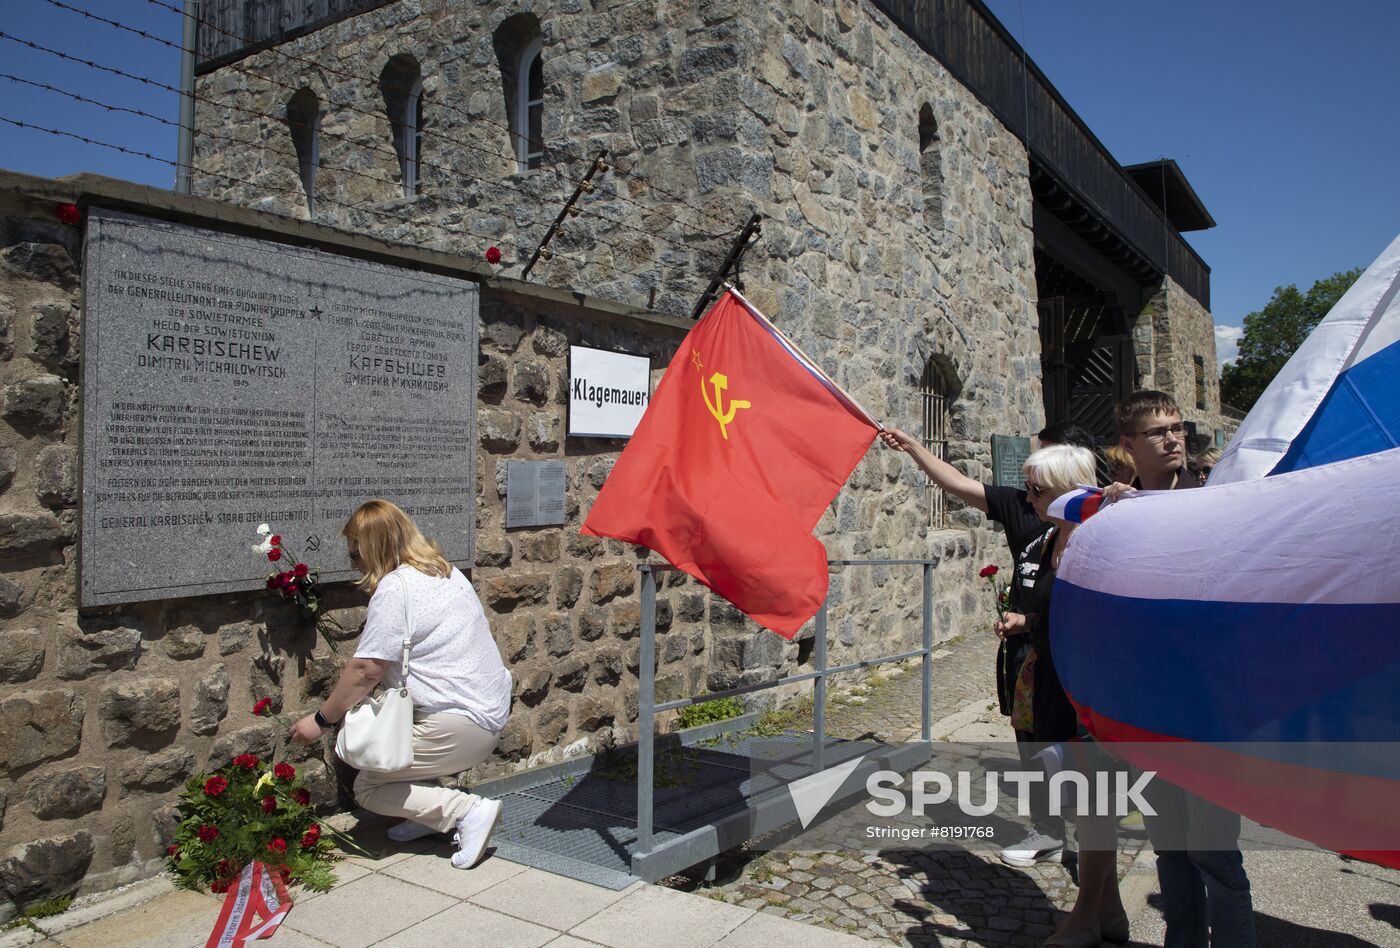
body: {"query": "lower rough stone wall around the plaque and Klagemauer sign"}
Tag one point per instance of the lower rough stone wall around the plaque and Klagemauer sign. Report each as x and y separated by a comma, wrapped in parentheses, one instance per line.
(104, 713)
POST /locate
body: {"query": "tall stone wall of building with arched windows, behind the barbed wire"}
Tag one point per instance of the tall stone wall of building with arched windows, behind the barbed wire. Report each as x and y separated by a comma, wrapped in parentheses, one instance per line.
(876, 257)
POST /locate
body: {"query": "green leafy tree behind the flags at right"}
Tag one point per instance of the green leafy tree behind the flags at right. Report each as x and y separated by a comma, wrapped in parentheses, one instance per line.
(1275, 334)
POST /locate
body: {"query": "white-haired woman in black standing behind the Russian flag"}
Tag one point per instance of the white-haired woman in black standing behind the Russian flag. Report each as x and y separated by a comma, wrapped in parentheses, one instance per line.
(1098, 912)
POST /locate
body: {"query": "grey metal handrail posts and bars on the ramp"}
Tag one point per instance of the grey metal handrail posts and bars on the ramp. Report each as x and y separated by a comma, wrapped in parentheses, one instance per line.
(647, 706)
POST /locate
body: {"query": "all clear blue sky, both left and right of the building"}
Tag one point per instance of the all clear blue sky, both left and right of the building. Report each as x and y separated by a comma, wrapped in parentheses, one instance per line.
(1282, 114)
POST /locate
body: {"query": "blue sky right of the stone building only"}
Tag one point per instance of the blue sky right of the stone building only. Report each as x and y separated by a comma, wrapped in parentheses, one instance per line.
(1282, 114)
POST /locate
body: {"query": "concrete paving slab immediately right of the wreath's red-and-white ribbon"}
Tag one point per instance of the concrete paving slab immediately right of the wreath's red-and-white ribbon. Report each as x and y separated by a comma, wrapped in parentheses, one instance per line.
(366, 911)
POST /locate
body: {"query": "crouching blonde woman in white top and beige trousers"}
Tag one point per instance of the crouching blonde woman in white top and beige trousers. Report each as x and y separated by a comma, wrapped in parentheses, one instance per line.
(460, 687)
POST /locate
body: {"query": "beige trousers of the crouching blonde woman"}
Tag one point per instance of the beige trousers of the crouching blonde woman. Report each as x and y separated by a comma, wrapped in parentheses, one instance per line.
(443, 744)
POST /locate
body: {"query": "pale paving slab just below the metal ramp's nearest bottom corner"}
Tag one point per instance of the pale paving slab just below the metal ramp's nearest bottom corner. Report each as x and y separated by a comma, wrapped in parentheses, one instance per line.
(688, 922)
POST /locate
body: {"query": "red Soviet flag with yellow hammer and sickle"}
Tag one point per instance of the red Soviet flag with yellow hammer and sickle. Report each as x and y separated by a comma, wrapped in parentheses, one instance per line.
(740, 453)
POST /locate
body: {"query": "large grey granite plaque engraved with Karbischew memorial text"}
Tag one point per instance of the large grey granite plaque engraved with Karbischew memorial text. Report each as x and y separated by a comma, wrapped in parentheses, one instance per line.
(230, 382)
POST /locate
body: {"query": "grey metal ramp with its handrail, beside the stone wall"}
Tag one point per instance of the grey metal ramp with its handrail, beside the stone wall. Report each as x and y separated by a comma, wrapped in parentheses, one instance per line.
(667, 804)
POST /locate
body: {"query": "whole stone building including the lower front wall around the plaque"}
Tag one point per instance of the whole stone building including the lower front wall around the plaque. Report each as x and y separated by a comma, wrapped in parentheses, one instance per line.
(939, 230)
